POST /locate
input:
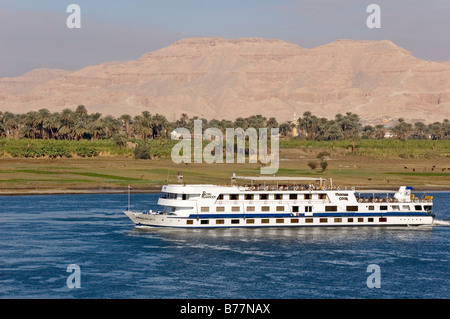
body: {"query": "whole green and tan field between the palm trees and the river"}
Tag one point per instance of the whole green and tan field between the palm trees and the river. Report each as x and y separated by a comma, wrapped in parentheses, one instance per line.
(423, 164)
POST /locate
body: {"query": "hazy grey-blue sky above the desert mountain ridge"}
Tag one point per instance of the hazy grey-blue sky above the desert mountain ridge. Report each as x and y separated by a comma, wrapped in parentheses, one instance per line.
(34, 33)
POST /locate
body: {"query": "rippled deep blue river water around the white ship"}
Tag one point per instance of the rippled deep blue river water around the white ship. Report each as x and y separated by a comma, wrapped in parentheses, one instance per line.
(40, 236)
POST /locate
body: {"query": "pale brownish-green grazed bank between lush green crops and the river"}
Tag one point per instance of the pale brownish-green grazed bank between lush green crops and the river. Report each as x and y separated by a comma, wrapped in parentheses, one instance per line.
(114, 174)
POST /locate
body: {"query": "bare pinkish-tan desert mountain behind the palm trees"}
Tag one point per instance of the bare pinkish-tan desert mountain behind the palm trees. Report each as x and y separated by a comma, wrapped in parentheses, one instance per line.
(225, 79)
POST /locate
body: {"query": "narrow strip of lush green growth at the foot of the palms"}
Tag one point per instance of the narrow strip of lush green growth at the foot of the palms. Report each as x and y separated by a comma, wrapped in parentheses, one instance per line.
(161, 148)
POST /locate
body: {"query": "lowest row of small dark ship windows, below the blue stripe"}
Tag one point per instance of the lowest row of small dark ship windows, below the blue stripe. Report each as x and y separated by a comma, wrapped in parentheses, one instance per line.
(292, 220)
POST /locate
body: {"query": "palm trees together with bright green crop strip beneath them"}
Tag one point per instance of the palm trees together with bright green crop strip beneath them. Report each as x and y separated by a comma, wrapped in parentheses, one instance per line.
(78, 133)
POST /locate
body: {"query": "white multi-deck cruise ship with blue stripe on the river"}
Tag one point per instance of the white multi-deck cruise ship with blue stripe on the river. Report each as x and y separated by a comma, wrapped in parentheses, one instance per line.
(268, 201)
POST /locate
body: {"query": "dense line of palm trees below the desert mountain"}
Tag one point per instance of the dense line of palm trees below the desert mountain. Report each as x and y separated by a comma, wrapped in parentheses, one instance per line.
(79, 124)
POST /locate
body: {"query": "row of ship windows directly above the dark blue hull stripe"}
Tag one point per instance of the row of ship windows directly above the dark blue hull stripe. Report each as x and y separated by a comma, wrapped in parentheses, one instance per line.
(295, 209)
